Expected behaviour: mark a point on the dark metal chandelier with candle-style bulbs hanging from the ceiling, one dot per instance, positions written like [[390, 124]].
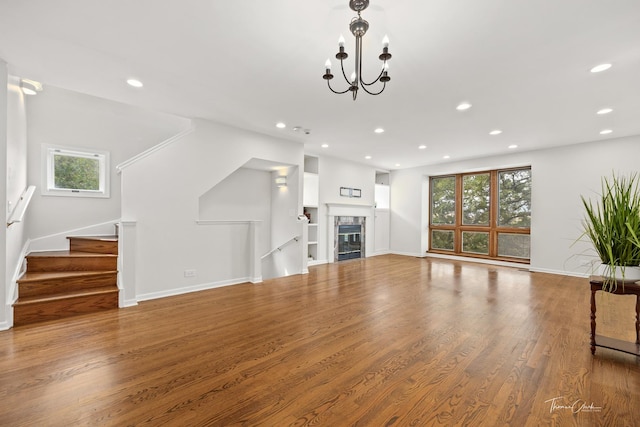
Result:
[[359, 27]]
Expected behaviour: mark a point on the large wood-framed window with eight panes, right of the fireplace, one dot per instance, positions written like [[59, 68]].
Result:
[[482, 214]]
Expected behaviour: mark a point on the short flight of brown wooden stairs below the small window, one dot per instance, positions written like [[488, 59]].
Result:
[[60, 284]]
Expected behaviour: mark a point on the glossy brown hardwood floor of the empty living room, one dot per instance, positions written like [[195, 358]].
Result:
[[385, 341]]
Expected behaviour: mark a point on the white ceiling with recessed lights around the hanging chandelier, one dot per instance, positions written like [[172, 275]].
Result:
[[523, 65]]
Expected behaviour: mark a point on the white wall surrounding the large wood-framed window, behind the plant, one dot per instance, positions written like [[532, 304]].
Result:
[[559, 177]]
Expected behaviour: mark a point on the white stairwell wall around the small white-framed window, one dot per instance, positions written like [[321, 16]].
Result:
[[61, 117]]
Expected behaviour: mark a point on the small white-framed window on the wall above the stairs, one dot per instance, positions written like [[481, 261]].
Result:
[[75, 172]]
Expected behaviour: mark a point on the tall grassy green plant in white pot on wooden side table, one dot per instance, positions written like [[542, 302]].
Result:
[[612, 224]]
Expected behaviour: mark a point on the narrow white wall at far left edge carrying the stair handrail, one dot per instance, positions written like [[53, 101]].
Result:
[[13, 137]]
